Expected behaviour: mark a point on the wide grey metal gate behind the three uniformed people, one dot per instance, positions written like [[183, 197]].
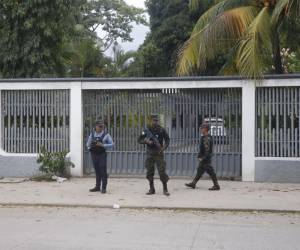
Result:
[[127, 112]]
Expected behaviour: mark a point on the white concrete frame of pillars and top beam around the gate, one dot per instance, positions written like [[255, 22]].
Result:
[[76, 87]]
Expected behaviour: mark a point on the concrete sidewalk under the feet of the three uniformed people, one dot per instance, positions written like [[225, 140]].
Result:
[[130, 193]]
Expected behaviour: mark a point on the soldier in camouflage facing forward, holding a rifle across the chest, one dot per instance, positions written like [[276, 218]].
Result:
[[157, 140]]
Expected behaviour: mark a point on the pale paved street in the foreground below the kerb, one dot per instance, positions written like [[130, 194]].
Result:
[[94, 228]]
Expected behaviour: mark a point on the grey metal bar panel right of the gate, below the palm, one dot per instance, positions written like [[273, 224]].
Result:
[[277, 121]]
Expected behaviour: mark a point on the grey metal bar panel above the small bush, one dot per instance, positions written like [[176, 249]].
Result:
[[35, 118]]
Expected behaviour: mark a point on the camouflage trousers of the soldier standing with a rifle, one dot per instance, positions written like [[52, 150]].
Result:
[[159, 161]]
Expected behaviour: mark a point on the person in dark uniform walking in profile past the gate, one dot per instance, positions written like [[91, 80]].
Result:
[[204, 156]]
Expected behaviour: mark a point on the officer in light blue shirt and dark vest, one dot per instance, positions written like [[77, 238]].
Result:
[[98, 142]]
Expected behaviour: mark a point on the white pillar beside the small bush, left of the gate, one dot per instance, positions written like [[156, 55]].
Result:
[[76, 136]]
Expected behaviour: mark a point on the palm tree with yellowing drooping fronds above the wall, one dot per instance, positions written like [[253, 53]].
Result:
[[246, 31]]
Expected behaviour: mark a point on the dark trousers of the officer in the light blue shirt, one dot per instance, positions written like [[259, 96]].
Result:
[[100, 166]]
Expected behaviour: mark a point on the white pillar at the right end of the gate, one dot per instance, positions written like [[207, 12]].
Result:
[[248, 131]]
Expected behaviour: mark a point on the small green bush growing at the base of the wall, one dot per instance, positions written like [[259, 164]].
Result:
[[54, 163]]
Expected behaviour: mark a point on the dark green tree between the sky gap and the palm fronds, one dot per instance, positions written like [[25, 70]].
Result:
[[170, 23]]
